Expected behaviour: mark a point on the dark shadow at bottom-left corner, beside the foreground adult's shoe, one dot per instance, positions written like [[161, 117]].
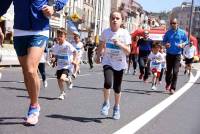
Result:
[[11, 120]]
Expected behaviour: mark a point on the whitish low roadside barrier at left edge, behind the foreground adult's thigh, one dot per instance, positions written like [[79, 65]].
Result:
[[9, 56]]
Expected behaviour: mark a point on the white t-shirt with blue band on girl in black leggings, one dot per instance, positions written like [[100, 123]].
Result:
[[113, 55]]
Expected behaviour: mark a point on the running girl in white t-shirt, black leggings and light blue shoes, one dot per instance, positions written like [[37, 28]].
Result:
[[113, 47]]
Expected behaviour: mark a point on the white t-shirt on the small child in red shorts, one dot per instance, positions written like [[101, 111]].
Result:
[[156, 61]]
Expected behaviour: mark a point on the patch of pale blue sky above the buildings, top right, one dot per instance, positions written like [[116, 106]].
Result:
[[162, 5]]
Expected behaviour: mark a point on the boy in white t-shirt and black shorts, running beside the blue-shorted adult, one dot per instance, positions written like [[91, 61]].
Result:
[[66, 56]]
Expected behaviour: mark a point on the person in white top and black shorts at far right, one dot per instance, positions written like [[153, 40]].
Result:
[[189, 52]]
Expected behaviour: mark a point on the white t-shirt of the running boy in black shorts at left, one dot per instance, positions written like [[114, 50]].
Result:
[[64, 55]]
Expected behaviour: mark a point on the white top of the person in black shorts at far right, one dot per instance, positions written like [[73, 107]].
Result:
[[189, 52]]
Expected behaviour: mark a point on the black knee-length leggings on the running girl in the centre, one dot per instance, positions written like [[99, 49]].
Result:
[[111, 75]]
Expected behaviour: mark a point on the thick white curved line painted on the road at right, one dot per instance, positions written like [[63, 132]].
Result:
[[143, 119]]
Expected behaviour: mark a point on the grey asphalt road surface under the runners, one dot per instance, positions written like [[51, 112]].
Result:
[[79, 113]]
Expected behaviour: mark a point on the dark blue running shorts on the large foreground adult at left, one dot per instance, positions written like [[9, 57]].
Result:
[[22, 43]]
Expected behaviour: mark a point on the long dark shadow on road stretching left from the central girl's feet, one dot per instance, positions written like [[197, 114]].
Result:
[[79, 119]]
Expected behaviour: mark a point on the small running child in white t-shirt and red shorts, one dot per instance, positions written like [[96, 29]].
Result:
[[156, 60]]
